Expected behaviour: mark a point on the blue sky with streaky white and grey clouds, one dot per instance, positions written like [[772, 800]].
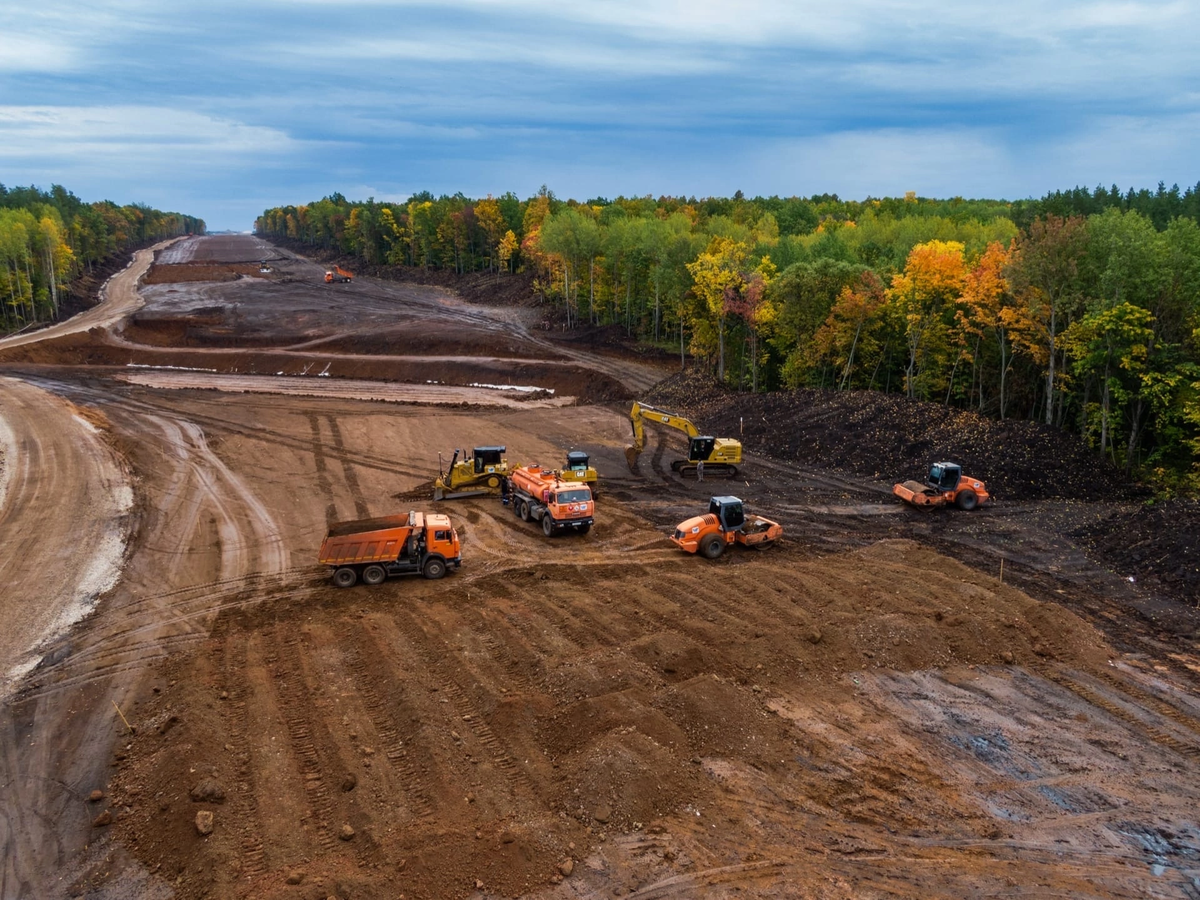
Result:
[[223, 110]]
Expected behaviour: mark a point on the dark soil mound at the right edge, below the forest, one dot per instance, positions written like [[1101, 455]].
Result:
[[1160, 545]]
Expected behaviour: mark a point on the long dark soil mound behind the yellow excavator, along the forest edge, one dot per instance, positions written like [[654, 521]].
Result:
[[896, 439]]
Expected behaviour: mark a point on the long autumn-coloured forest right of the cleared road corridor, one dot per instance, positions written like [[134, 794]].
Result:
[[1081, 310]]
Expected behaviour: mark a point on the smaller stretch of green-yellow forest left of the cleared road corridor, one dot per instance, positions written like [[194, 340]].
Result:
[[50, 238]]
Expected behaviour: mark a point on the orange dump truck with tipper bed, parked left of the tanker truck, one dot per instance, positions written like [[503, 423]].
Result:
[[374, 549]]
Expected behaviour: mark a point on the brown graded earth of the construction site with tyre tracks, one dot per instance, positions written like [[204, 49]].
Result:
[[889, 704]]
